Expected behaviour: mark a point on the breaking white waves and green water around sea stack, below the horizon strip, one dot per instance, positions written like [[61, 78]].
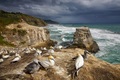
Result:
[[108, 41]]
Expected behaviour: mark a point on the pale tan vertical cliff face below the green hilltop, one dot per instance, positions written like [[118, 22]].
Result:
[[25, 34]]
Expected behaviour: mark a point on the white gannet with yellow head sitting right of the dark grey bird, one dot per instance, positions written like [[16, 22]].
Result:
[[47, 63]]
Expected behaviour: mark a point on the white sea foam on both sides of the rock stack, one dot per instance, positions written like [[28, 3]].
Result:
[[105, 39]]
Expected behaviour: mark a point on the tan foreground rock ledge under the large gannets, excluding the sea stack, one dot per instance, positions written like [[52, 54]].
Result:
[[93, 69]]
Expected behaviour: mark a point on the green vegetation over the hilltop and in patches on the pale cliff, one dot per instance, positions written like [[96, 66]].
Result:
[[7, 18]]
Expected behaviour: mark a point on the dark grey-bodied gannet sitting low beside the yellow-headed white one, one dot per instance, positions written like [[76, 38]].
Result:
[[32, 67]]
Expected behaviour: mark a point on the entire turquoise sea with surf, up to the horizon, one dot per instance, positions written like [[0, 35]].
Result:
[[106, 35]]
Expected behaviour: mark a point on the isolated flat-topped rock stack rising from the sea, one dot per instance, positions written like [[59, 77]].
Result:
[[83, 39]]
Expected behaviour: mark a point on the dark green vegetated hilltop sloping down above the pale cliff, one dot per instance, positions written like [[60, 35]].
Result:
[[11, 17]]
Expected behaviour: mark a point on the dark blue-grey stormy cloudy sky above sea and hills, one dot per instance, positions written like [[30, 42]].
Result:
[[67, 11]]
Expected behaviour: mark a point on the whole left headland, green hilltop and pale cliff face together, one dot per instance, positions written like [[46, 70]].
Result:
[[21, 29]]
